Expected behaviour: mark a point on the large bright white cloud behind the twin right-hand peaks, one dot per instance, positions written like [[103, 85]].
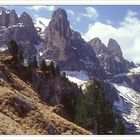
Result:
[[127, 35]]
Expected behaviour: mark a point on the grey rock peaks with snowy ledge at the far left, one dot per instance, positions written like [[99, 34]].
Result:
[[21, 29]]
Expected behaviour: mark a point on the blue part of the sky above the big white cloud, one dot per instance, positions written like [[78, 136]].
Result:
[[115, 14]]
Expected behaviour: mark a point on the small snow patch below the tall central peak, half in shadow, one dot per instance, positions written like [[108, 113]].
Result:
[[78, 77]]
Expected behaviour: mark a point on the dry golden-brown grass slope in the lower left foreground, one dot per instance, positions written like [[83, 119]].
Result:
[[41, 120]]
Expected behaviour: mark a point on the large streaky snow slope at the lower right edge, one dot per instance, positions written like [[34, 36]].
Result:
[[128, 104]]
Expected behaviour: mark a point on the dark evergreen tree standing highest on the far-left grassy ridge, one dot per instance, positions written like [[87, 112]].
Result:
[[13, 49]]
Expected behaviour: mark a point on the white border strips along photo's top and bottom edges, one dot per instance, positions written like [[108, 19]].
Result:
[[69, 2]]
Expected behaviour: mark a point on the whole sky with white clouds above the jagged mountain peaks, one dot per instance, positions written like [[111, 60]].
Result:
[[119, 22]]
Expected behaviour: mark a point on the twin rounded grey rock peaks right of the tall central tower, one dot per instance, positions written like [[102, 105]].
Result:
[[110, 57]]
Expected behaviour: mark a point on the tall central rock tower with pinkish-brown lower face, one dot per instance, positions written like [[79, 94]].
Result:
[[57, 36]]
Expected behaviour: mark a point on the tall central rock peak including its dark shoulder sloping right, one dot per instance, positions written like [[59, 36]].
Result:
[[67, 47]]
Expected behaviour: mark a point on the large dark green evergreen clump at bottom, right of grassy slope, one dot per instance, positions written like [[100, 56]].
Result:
[[92, 108]]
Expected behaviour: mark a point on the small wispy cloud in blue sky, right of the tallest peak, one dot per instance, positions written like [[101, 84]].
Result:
[[90, 13]]
